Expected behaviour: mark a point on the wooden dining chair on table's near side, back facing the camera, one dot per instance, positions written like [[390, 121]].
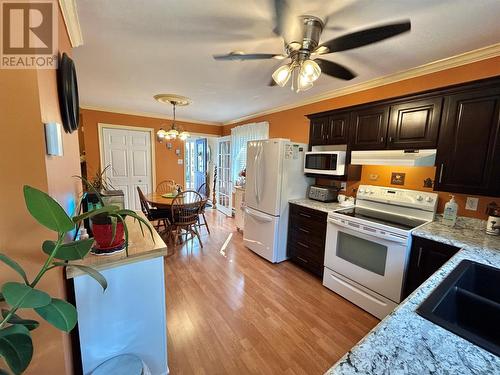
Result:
[[186, 207]]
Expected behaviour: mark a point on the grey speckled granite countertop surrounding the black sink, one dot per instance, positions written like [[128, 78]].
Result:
[[406, 343]]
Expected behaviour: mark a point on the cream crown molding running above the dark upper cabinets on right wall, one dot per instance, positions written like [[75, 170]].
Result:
[[435, 66]]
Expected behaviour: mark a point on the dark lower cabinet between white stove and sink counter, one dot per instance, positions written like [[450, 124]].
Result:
[[426, 257]]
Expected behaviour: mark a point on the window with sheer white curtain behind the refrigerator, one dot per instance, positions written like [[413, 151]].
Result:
[[240, 135]]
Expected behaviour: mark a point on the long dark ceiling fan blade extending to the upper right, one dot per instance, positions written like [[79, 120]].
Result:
[[365, 37]]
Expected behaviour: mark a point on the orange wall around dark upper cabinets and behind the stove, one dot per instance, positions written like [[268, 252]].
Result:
[[293, 124]]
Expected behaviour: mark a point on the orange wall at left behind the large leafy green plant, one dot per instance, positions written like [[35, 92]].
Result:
[[27, 98]]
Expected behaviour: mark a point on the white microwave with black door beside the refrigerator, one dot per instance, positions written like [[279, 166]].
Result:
[[330, 163]]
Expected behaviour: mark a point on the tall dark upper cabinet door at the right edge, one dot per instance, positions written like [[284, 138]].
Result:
[[468, 159]]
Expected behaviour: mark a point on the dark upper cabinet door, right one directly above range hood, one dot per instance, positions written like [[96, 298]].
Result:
[[414, 125]]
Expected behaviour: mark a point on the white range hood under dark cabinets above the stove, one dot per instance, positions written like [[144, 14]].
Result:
[[411, 158]]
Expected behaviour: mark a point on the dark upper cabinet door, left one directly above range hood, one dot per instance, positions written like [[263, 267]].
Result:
[[369, 128]]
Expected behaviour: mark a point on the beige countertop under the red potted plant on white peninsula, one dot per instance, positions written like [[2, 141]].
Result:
[[140, 248]]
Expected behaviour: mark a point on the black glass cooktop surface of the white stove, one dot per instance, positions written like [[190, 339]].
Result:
[[393, 220]]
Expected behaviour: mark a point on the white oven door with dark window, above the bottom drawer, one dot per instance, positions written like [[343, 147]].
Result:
[[366, 255]]
